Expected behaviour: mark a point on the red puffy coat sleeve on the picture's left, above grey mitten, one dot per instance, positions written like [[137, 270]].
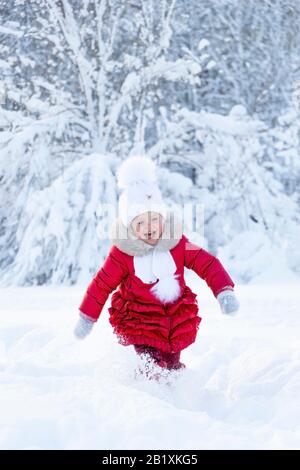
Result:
[[110, 275]]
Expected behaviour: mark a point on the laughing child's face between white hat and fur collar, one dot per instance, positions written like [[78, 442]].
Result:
[[148, 227]]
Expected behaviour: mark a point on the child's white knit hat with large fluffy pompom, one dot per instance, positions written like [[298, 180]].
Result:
[[136, 177]]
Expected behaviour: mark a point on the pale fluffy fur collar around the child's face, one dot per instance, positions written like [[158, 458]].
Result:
[[124, 238]]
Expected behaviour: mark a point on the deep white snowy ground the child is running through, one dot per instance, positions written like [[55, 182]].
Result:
[[241, 388]]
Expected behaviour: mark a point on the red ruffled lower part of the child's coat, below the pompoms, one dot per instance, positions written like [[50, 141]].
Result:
[[170, 327]]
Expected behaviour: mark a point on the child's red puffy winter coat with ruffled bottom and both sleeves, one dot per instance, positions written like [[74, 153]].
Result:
[[140, 318]]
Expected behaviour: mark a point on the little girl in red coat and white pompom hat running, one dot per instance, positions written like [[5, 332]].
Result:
[[153, 309]]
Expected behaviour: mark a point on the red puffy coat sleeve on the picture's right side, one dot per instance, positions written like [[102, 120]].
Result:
[[207, 266]]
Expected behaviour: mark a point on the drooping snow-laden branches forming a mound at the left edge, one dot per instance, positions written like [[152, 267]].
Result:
[[60, 221]]
